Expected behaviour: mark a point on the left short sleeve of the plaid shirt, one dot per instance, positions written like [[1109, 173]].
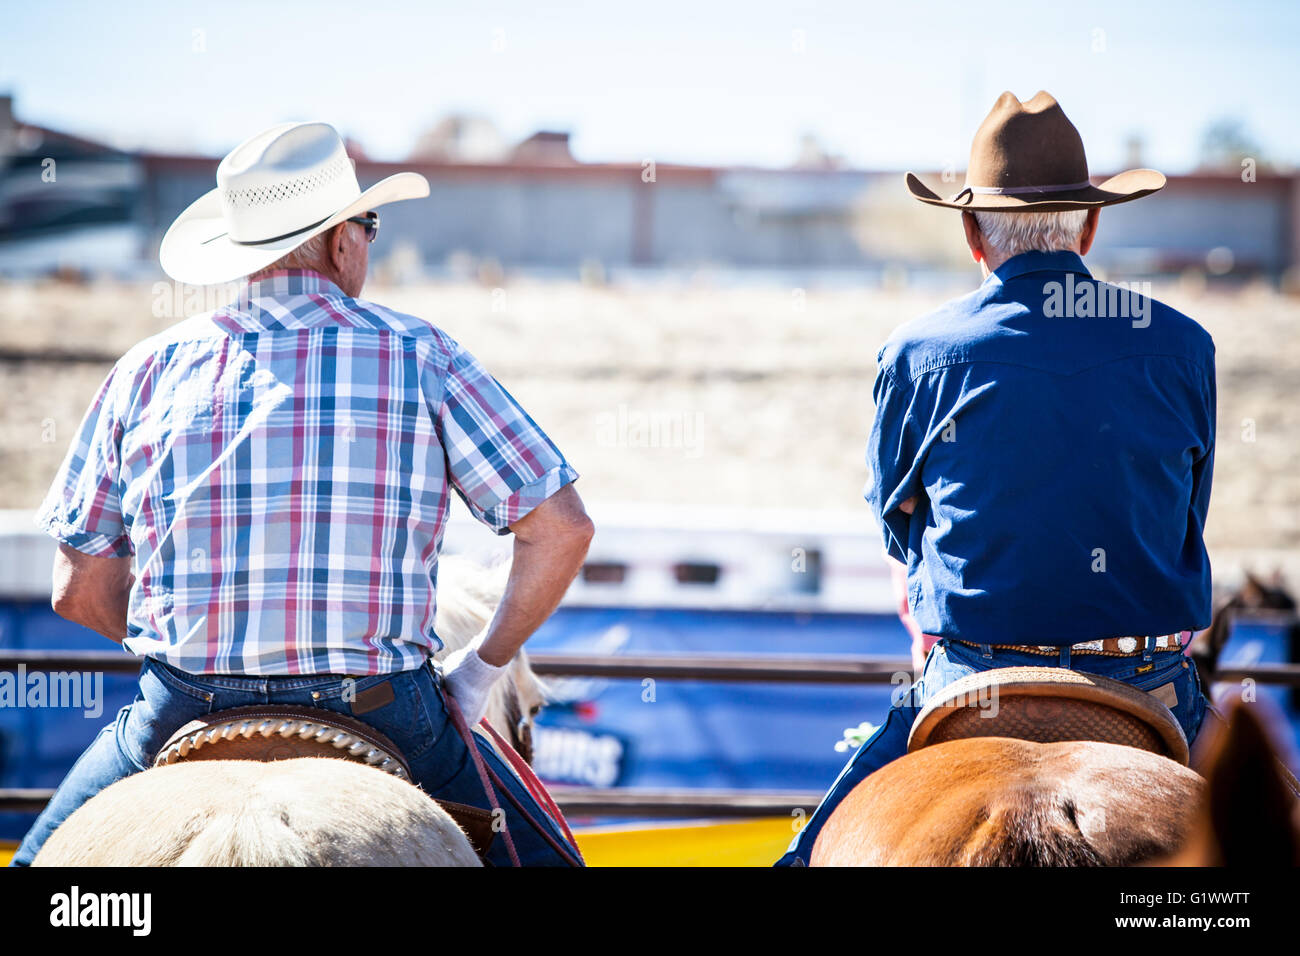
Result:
[[84, 509]]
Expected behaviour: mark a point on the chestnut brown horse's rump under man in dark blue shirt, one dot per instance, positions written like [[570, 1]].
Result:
[[996, 802]]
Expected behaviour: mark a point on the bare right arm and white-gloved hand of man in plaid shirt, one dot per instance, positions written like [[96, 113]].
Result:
[[551, 546]]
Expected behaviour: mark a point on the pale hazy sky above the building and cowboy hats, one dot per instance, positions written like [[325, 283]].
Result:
[[889, 85]]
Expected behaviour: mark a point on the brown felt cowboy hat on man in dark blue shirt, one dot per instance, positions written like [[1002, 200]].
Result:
[[1029, 158]]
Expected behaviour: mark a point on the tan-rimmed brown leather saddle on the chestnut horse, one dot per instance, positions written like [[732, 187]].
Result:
[[1048, 706]]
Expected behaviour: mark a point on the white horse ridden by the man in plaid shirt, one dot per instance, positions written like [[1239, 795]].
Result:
[[304, 812]]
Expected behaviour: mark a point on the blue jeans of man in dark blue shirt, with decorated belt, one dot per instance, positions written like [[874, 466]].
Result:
[[950, 661]]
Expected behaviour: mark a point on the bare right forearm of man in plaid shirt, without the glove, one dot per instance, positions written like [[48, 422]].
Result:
[[539, 577]]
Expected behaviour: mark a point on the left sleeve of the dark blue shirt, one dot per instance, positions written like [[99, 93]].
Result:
[[894, 453]]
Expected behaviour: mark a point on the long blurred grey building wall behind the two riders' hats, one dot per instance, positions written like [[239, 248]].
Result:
[[560, 218]]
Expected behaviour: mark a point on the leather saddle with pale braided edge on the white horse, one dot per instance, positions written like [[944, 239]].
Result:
[[281, 733]]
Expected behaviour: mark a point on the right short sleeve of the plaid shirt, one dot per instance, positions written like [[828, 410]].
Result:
[[499, 460]]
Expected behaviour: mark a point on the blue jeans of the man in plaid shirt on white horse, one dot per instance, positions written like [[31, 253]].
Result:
[[415, 720]]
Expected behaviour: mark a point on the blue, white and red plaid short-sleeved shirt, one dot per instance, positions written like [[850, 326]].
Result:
[[280, 469]]
